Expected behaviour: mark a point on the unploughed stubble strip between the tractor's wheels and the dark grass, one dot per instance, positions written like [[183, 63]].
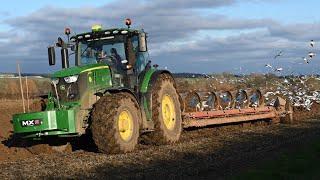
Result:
[[208, 152]]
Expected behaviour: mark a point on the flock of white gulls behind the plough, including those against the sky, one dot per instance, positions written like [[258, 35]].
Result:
[[295, 89]]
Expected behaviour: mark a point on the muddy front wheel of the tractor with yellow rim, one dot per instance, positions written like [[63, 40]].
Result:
[[115, 123]]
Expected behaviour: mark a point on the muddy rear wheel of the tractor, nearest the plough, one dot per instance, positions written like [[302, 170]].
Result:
[[166, 113]]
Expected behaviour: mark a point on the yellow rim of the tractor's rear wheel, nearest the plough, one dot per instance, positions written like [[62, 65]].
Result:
[[168, 112]]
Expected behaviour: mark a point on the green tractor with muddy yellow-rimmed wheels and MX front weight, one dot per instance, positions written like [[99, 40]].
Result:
[[111, 91]]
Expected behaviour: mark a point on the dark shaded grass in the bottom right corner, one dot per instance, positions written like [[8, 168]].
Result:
[[300, 163]]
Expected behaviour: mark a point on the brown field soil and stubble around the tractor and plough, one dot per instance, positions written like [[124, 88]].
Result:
[[216, 152]]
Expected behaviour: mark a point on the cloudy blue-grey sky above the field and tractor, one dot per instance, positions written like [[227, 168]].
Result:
[[198, 36]]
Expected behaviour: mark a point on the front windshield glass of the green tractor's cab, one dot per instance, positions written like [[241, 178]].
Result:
[[92, 51]]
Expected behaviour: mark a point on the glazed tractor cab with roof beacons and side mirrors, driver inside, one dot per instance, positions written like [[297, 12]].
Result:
[[123, 50]]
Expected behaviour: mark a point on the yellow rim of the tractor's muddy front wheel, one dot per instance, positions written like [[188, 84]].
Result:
[[125, 125]]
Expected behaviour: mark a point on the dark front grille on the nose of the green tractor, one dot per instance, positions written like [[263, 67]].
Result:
[[70, 92]]
